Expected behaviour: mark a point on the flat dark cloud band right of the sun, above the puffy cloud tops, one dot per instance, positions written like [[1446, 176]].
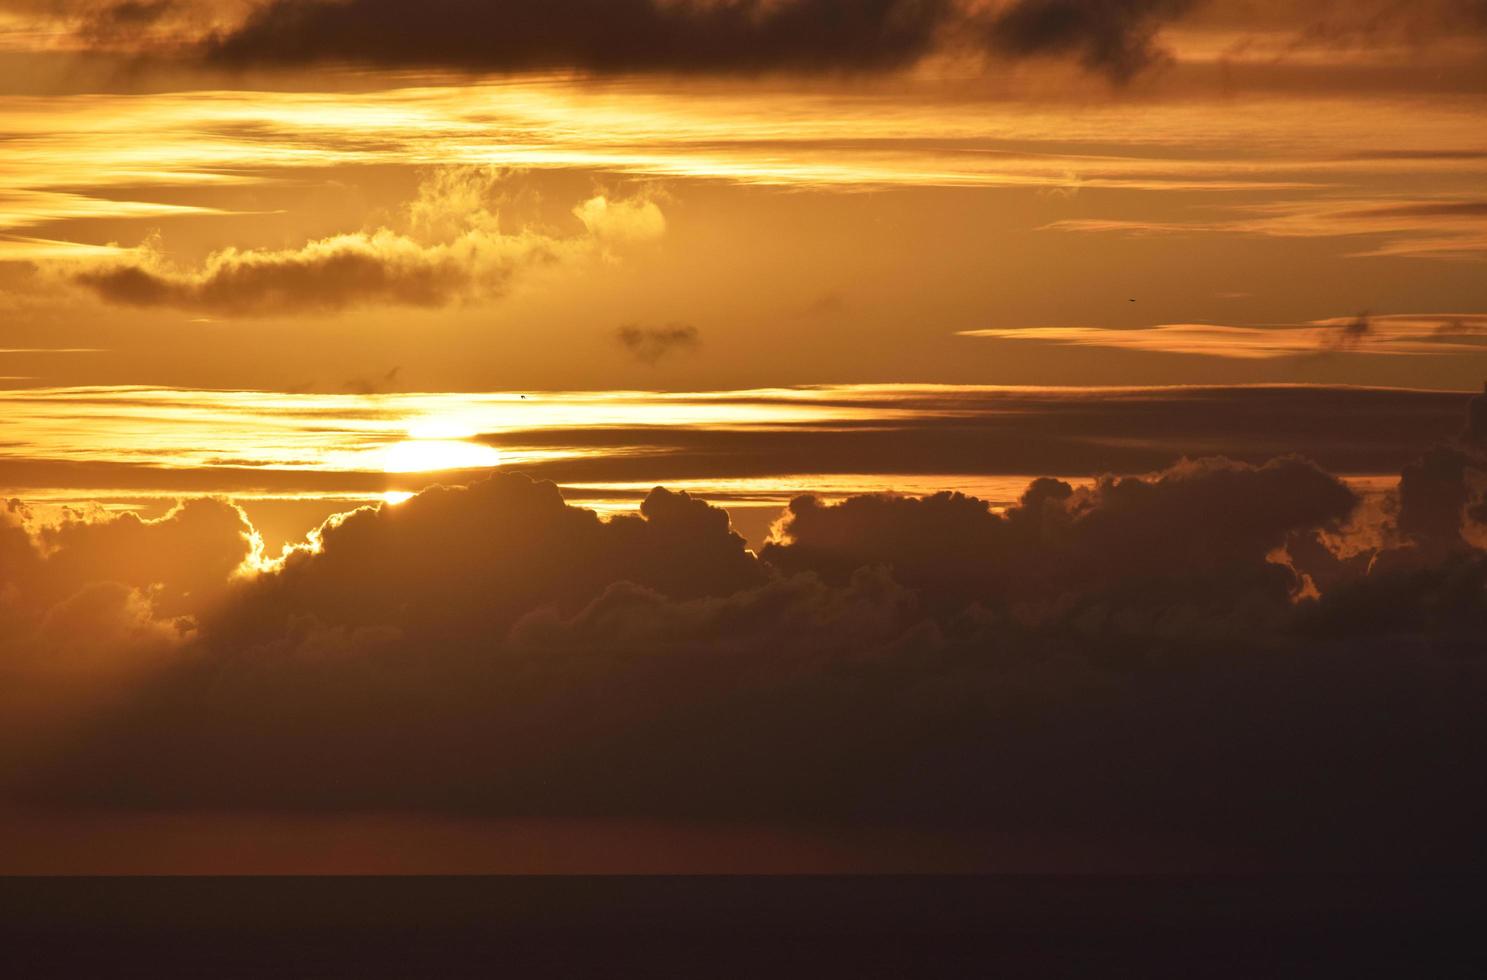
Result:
[[1027, 432]]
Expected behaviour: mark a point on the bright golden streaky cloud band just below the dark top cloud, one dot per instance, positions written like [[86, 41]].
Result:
[[99, 157]]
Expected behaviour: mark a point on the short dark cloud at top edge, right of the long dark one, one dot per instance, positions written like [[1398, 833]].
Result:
[[1116, 38]]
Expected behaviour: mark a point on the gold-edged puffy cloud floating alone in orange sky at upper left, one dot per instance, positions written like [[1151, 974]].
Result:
[[453, 251]]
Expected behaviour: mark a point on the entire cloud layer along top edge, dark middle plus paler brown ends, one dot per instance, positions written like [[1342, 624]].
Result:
[[1116, 38]]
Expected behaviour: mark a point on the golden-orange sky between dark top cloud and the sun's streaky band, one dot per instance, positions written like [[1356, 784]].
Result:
[[494, 231]]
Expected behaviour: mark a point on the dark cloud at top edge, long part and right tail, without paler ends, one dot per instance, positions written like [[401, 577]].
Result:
[[1115, 38]]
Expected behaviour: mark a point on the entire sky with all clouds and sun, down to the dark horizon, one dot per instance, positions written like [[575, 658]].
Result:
[[1021, 375]]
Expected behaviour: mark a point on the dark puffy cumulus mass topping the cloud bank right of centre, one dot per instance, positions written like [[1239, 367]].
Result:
[[1061, 542]]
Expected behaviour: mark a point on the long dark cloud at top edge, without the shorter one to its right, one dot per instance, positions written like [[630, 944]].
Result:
[[596, 35]]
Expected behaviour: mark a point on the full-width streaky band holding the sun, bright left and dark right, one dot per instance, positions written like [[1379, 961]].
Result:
[[753, 447]]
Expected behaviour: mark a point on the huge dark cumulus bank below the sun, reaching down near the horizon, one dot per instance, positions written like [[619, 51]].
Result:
[[1135, 657]]
